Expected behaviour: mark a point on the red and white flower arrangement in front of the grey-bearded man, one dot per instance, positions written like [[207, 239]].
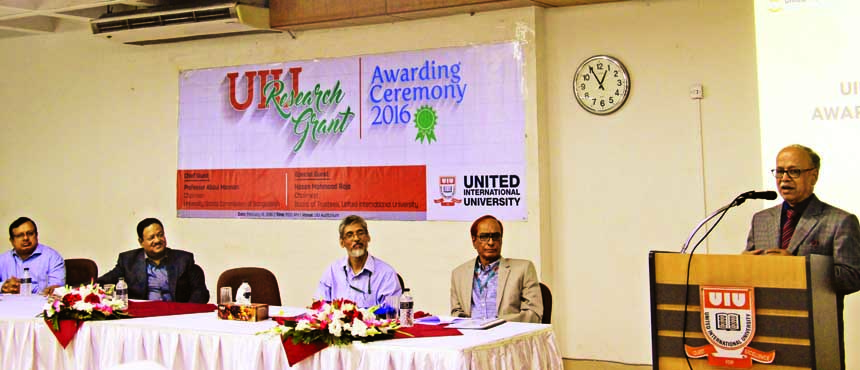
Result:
[[339, 323]]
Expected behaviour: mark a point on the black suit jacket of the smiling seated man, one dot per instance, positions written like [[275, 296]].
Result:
[[186, 279]]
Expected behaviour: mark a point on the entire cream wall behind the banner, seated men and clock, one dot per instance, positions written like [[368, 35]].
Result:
[[90, 136]]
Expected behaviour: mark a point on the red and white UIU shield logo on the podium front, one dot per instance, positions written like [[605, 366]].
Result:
[[728, 322]]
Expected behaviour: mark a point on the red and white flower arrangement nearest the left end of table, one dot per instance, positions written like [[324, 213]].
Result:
[[88, 302]]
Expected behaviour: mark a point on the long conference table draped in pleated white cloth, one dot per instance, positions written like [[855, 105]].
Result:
[[202, 341]]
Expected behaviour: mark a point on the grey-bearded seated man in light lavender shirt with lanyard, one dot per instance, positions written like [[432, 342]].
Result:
[[359, 277]]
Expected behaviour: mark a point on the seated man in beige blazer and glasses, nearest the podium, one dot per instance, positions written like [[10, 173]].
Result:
[[492, 286]]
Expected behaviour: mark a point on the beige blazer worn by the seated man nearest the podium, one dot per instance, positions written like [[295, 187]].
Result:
[[518, 297]]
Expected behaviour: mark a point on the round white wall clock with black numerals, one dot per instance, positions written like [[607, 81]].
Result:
[[601, 84]]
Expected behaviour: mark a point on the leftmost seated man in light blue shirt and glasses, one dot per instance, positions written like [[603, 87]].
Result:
[[47, 267]]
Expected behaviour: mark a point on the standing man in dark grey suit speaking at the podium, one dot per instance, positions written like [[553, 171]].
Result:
[[803, 225]]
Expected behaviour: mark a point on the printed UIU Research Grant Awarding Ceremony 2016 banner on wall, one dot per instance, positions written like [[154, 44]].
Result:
[[426, 135]]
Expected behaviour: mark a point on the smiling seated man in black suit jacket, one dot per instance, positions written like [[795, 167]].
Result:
[[157, 273]]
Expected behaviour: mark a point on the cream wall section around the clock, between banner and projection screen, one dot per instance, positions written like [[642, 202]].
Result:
[[642, 178]]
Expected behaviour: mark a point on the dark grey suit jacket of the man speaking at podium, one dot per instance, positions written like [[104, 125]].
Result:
[[822, 229]]
